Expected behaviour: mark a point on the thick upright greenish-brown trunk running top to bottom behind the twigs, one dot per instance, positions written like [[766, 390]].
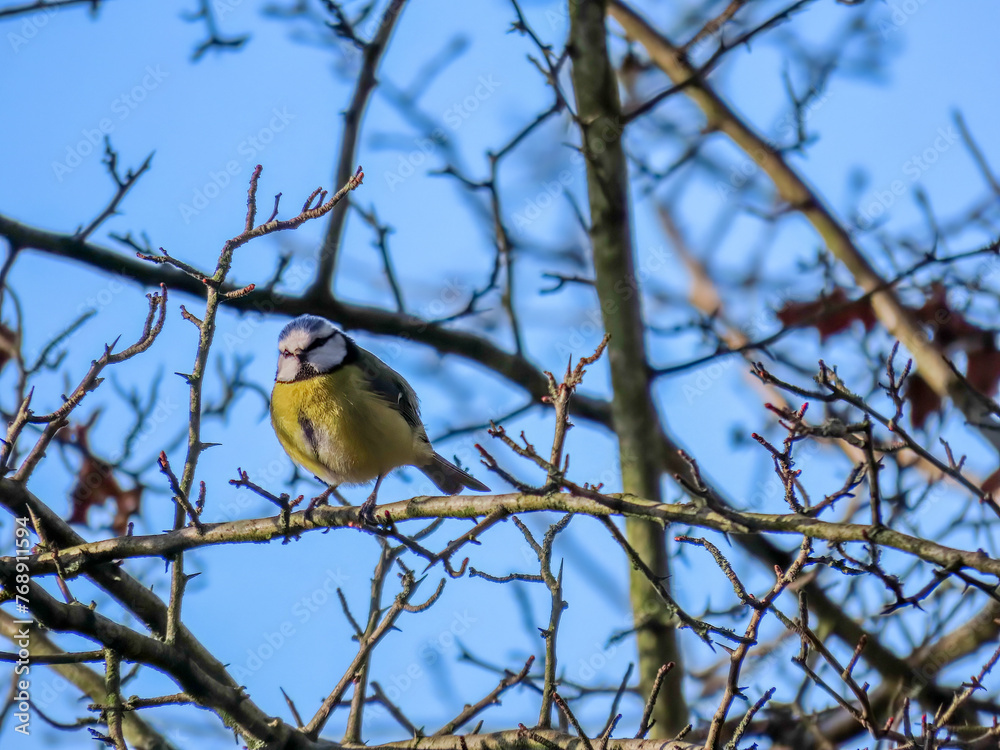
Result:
[[634, 414]]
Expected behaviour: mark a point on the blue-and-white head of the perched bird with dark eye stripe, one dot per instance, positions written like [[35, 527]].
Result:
[[310, 346]]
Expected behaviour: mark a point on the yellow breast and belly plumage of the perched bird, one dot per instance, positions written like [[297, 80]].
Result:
[[335, 427]]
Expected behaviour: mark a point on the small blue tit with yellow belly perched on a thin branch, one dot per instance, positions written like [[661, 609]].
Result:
[[347, 417]]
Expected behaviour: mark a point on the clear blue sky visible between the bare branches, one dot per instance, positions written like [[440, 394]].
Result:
[[66, 77]]
